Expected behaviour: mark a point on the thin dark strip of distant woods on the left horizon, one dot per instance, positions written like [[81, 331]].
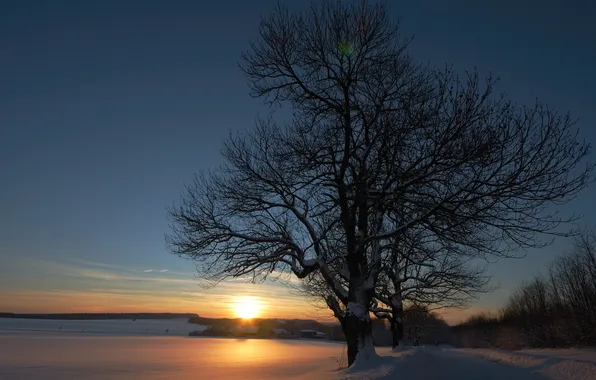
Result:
[[100, 316]]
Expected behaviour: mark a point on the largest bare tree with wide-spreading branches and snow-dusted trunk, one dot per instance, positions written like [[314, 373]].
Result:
[[372, 133]]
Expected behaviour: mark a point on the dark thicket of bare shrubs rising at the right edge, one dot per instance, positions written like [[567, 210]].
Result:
[[556, 309]]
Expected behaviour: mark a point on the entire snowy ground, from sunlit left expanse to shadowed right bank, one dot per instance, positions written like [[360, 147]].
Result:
[[112, 350]]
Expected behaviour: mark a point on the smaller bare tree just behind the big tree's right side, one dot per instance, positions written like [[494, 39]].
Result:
[[418, 273]]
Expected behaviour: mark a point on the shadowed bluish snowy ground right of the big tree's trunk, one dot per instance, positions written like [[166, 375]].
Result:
[[457, 364]]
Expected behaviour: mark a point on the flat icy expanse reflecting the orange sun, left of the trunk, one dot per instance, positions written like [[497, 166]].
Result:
[[118, 350]]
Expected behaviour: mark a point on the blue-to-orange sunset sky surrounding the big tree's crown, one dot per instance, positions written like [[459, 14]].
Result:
[[108, 107]]
